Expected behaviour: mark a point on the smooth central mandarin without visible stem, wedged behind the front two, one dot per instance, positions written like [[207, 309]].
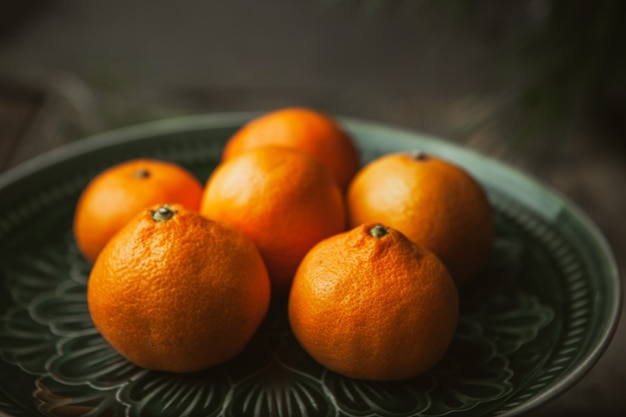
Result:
[[283, 199]]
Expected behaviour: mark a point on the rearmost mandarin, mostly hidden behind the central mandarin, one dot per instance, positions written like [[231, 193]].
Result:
[[308, 130]]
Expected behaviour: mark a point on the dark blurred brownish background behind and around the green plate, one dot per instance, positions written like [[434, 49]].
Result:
[[538, 84]]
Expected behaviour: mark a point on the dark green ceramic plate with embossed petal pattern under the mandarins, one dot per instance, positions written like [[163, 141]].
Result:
[[540, 316]]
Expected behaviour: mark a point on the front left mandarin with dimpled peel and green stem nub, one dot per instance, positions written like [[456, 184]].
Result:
[[177, 292]]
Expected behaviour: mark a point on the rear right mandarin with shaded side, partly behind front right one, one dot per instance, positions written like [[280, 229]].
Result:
[[435, 203]]
